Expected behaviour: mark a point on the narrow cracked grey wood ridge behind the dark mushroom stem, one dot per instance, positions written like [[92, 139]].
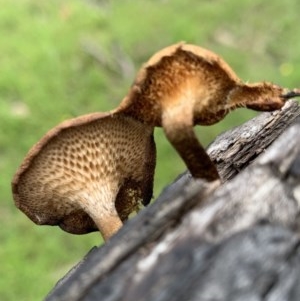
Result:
[[235, 149]]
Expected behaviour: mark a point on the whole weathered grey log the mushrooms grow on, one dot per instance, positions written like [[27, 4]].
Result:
[[199, 241]]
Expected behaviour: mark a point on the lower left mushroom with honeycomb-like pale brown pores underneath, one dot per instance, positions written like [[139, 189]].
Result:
[[87, 174]]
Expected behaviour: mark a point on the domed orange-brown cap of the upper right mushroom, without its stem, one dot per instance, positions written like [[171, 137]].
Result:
[[180, 74]]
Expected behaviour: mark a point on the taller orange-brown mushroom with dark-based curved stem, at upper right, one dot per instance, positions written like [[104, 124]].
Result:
[[185, 85]]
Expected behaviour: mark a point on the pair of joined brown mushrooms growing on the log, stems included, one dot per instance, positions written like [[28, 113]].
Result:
[[90, 173]]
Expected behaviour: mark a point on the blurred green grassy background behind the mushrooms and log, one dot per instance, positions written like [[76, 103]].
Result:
[[61, 59]]
